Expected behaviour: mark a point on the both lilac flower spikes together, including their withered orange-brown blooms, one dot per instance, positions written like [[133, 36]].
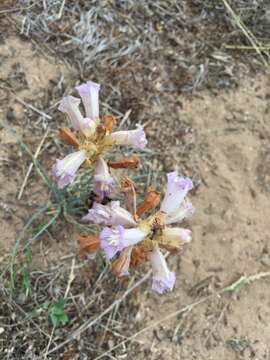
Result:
[[131, 234]]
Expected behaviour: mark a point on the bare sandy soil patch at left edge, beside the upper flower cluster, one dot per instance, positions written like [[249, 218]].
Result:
[[24, 74]]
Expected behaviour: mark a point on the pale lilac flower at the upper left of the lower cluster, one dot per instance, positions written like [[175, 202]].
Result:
[[111, 214]]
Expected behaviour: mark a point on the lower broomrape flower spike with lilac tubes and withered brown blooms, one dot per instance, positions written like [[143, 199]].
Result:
[[130, 239]]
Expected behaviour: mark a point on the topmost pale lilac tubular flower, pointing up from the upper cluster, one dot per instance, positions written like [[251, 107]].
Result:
[[89, 92]]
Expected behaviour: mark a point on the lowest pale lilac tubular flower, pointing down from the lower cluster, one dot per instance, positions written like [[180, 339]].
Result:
[[163, 279]]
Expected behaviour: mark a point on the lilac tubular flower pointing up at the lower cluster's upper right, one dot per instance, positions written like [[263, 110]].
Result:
[[177, 189]]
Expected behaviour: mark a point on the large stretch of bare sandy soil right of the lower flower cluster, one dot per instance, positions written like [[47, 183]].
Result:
[[231, 230]]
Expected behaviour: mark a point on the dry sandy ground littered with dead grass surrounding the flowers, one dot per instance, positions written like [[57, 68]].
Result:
[[206, 111]]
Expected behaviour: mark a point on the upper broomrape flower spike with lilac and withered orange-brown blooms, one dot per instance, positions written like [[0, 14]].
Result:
[[92, 140]]
